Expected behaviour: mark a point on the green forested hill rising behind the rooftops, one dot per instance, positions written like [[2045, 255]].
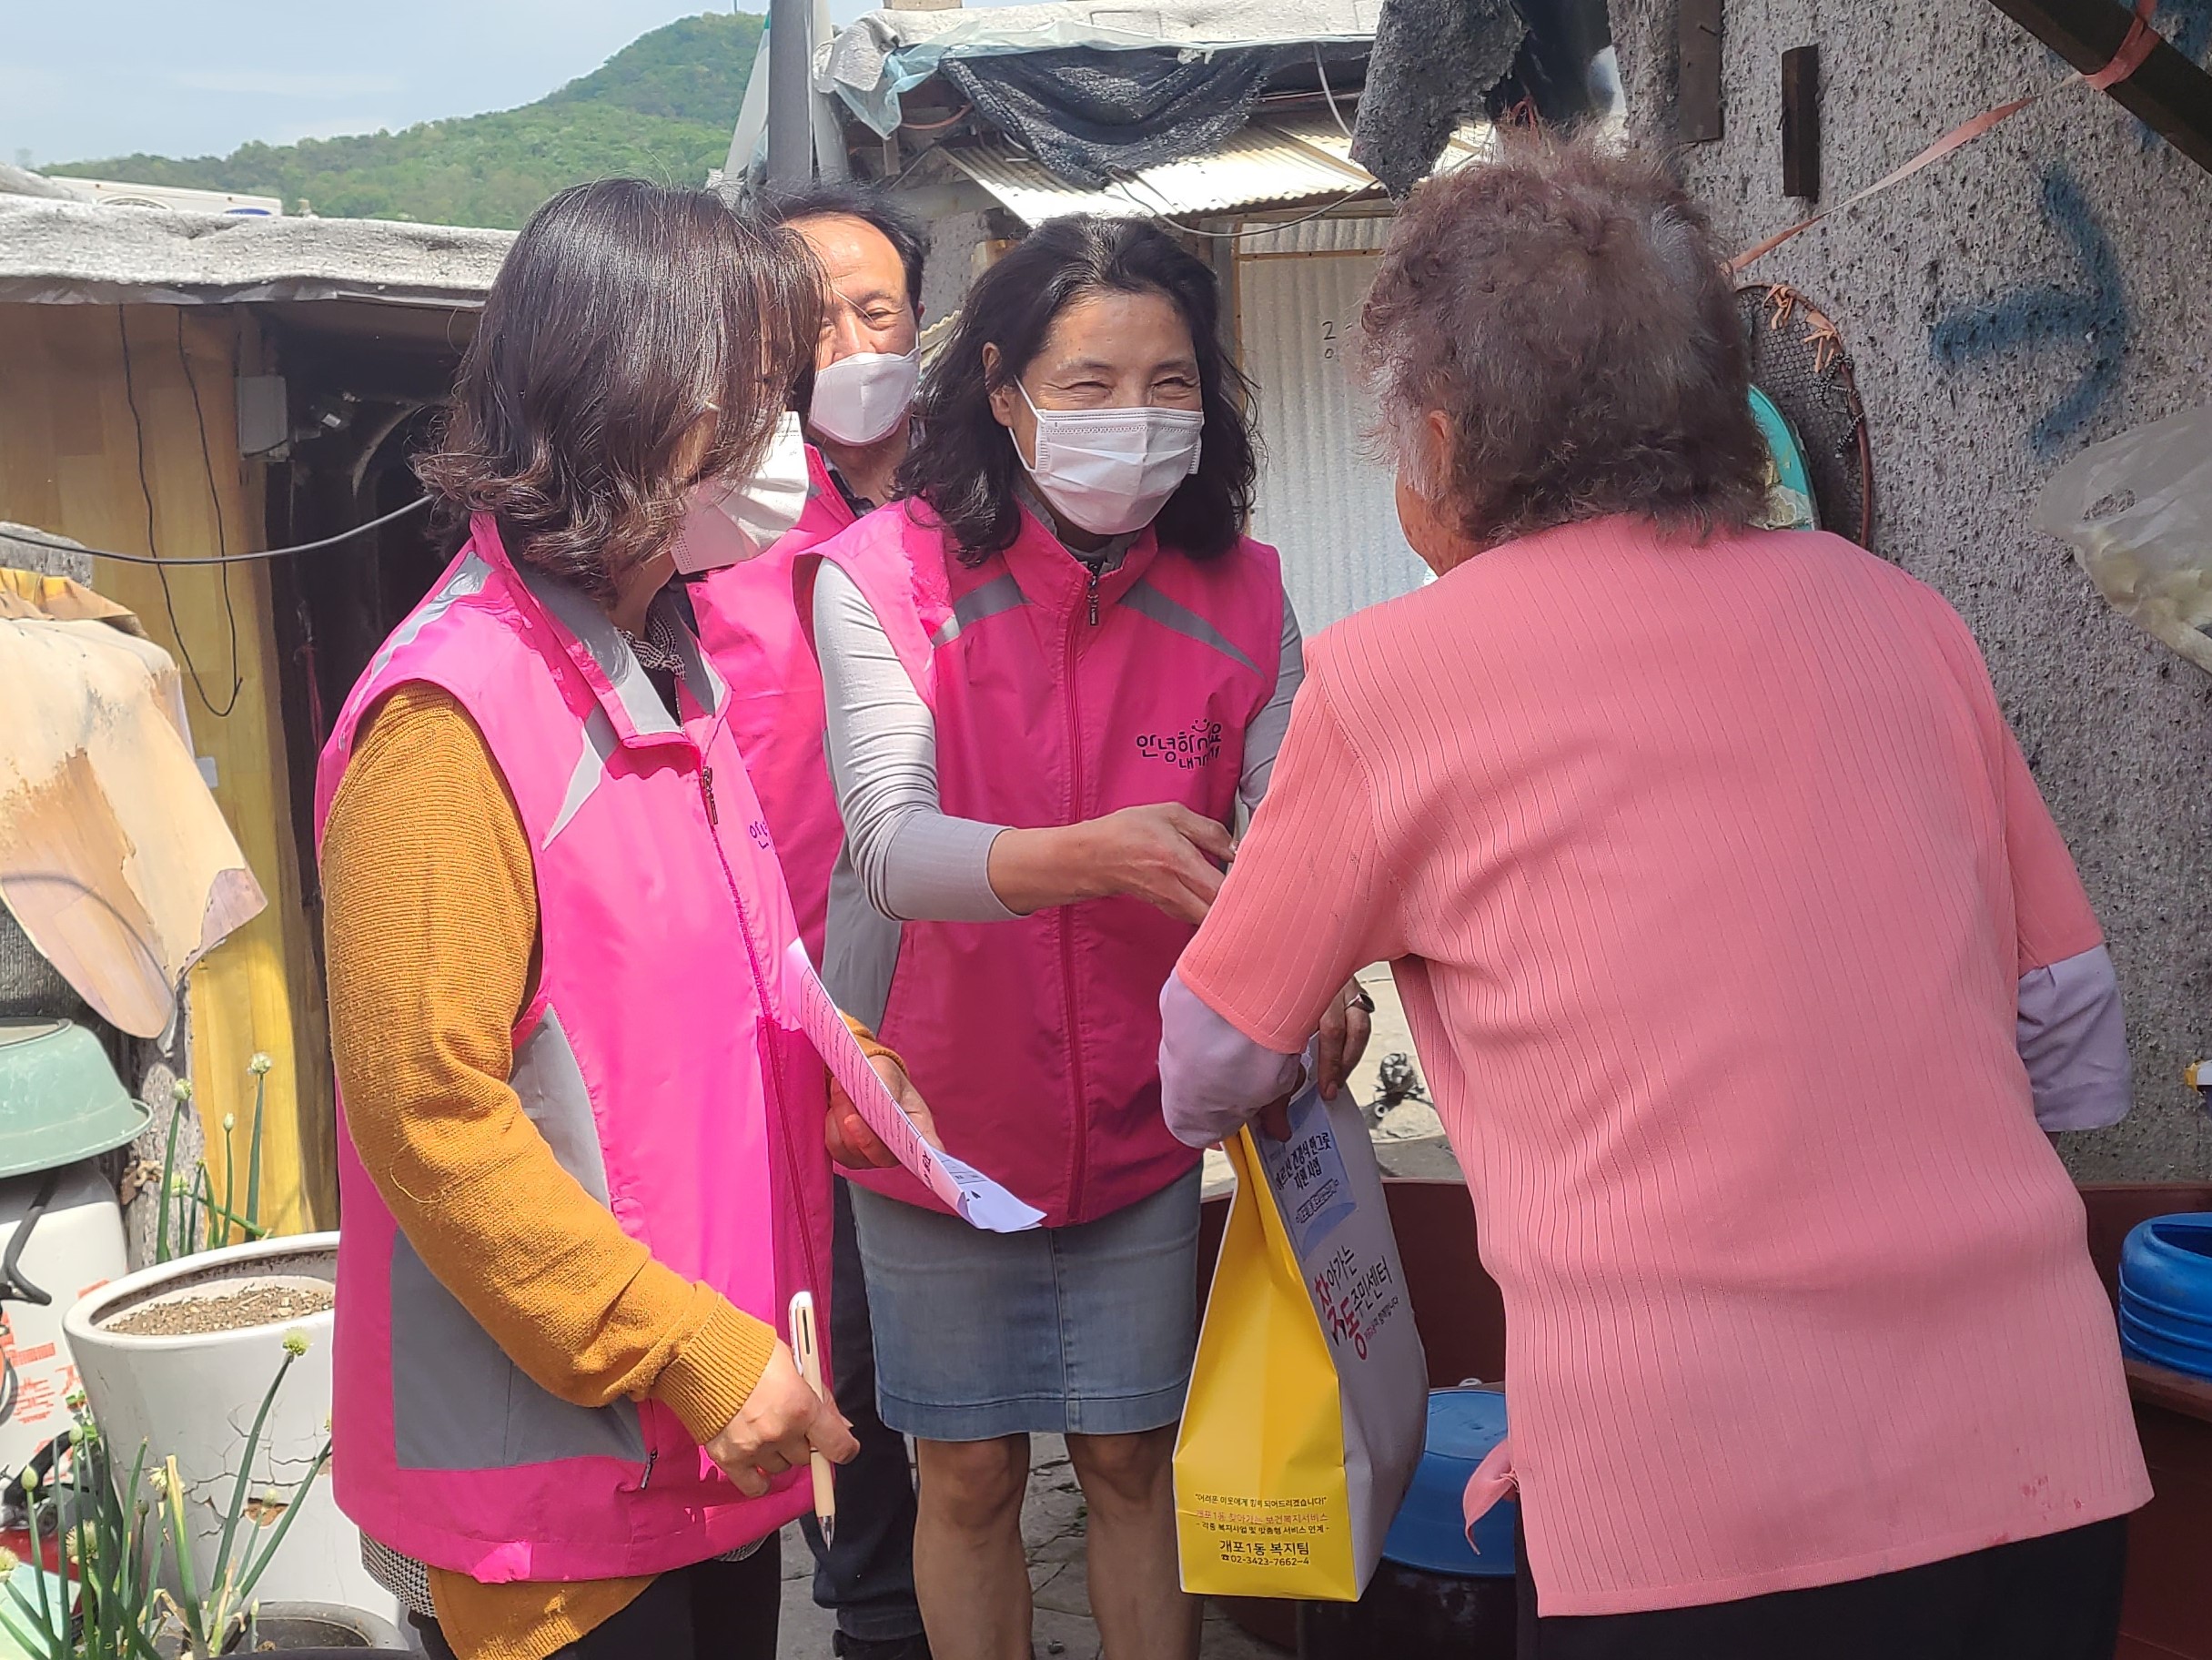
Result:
[[662, 110]]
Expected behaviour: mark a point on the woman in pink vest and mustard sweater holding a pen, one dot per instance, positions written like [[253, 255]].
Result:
[[583, 1170]]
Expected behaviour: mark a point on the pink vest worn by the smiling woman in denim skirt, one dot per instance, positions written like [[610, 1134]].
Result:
[[1056, 698]]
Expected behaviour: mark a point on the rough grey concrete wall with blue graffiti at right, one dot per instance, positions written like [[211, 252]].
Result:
[[2034, 293]]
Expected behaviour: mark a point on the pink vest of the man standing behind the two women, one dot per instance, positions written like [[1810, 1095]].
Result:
[[751, 625]]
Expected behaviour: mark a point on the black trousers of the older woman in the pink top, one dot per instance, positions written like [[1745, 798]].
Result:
[[2043, 1599]]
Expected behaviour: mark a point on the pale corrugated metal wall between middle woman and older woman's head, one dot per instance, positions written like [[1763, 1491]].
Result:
[[1324, 501]]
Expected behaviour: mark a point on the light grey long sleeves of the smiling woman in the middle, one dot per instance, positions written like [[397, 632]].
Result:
[[915, 860]]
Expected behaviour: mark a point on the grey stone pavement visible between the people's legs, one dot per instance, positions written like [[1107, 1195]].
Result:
[[1054, 1539]]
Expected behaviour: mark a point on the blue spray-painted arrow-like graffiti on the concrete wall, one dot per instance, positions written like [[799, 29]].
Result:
[[2085, 311]]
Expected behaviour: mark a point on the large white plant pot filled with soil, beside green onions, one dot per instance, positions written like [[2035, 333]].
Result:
[[194, 1400]]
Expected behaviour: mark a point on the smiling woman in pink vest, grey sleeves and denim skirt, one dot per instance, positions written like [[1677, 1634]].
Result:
[[1054, 676]]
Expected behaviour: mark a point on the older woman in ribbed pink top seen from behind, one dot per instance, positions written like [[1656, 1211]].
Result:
[[1746, 964]]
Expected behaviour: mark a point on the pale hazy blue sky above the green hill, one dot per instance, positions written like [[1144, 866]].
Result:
[[87, 79]]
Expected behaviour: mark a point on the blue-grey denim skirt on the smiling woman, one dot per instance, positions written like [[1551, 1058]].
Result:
[[1054, 1331]]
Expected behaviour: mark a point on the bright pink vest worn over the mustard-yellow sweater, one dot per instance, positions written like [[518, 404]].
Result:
[[656, 1059]]
